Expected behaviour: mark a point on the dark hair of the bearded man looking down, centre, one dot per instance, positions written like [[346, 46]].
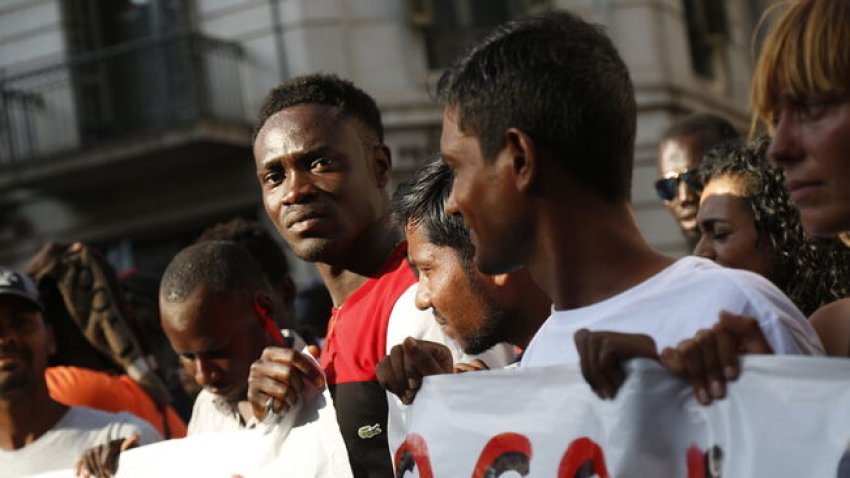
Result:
[[420, 202]]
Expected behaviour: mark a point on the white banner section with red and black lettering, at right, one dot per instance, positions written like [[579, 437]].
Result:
[[785, 417]]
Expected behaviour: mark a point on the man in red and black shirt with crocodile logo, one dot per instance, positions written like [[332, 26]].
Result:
[[324, 170]]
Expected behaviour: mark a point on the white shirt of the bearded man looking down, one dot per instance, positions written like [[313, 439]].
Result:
[[408, 321]]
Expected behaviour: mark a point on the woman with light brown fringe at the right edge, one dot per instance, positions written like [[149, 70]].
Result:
[[801, 92]]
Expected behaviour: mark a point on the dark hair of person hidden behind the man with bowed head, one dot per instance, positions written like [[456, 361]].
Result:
[[256, 239]]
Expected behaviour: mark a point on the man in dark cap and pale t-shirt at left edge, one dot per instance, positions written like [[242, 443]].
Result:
[[37, 433]]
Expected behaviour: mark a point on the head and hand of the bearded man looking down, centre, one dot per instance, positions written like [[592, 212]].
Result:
[[477, 310]]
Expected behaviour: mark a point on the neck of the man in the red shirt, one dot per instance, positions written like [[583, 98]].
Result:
[[362, 260]]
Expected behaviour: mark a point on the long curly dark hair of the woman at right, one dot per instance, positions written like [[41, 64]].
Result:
[[811, 271]]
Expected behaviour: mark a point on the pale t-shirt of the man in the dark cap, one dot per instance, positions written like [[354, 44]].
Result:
[[78, 430]]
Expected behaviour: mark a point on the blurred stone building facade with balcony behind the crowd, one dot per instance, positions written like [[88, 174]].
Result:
[[127, 123]]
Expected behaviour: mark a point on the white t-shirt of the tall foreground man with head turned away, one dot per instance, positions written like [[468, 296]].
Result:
[[672, 306]]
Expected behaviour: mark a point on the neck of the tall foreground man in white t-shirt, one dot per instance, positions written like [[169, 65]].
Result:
[[586, 254]]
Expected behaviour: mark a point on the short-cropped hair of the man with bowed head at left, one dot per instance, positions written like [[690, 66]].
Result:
[[222, 266]]
